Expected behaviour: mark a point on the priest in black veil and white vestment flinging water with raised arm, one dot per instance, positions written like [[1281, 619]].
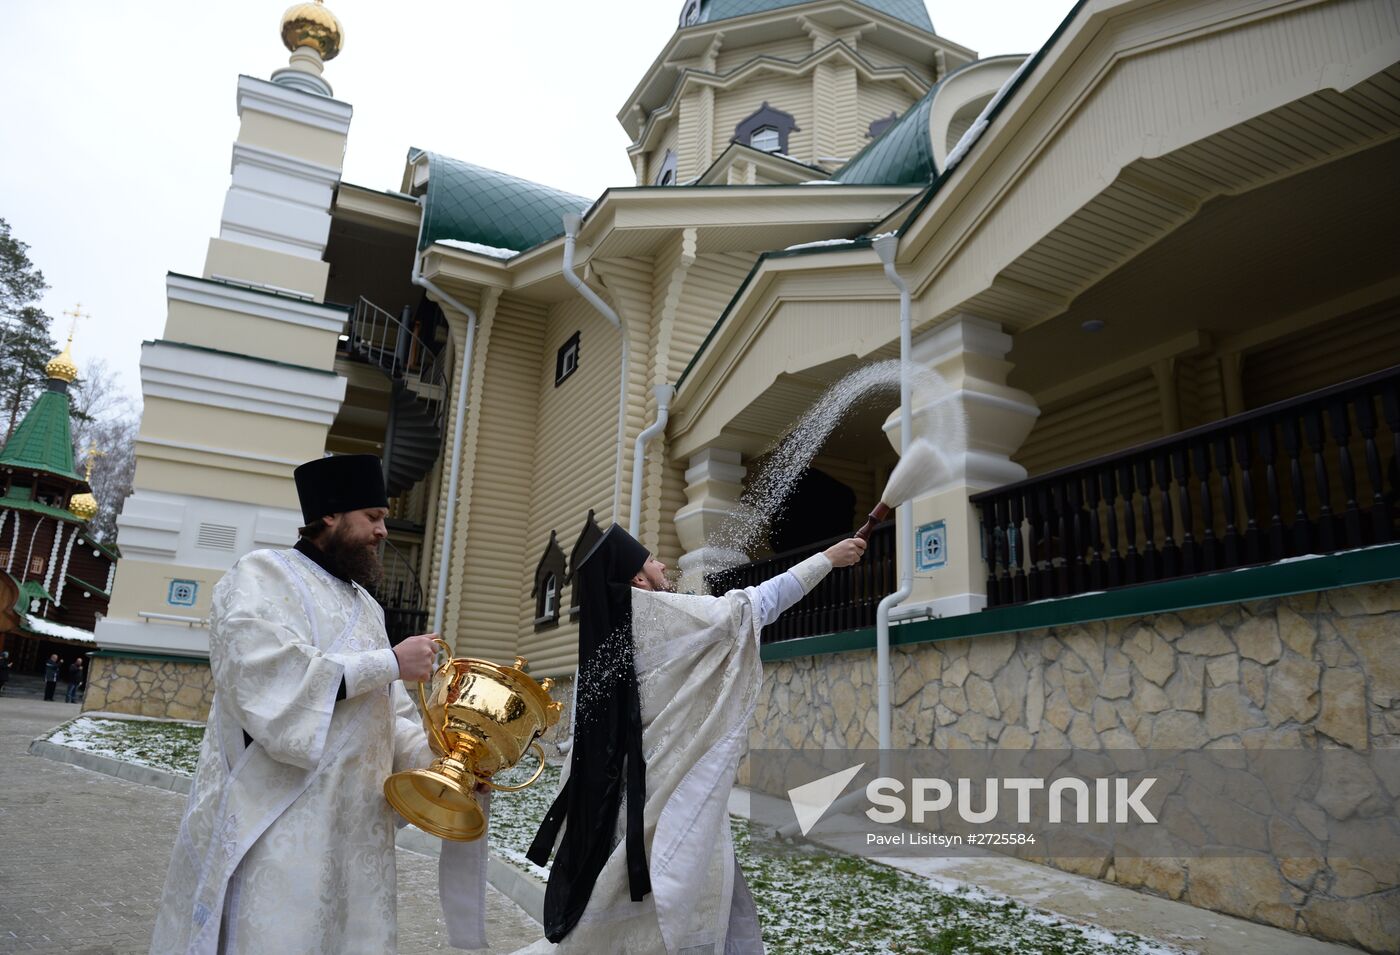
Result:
[[667, 685]]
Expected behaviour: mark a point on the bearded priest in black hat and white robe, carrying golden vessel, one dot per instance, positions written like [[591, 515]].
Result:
[[288, 841]]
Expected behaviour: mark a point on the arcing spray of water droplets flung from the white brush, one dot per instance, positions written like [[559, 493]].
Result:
[[762, 503]]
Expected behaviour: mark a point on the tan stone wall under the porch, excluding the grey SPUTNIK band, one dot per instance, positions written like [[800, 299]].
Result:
[[1298, 673]]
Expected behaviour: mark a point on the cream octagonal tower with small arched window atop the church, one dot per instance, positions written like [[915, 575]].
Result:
[[780, 92]]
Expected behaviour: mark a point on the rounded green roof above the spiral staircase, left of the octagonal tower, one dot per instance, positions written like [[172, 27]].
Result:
[[471, 204]]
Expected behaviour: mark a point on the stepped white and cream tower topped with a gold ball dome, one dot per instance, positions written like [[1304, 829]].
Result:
[[239, 390]]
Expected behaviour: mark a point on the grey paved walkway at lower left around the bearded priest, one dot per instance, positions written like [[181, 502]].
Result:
[[83, 858]]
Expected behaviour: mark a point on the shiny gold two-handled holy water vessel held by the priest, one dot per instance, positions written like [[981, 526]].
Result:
[[481, 719]]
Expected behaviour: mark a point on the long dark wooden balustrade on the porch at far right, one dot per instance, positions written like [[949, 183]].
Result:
[[1308, 475]]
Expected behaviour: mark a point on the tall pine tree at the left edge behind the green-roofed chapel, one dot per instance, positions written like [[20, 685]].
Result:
[[24, 331]]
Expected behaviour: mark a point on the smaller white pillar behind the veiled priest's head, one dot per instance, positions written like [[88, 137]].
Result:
[[715, 482]]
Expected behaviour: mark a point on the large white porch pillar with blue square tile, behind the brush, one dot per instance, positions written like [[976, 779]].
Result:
[[969, 355]]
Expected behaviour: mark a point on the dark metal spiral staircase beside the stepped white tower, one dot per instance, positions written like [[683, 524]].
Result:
[[419, 386]]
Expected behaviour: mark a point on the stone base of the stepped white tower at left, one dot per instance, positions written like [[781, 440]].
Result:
[[150, 687]]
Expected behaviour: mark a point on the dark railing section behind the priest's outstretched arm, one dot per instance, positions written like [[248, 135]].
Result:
[[845, 601]]
